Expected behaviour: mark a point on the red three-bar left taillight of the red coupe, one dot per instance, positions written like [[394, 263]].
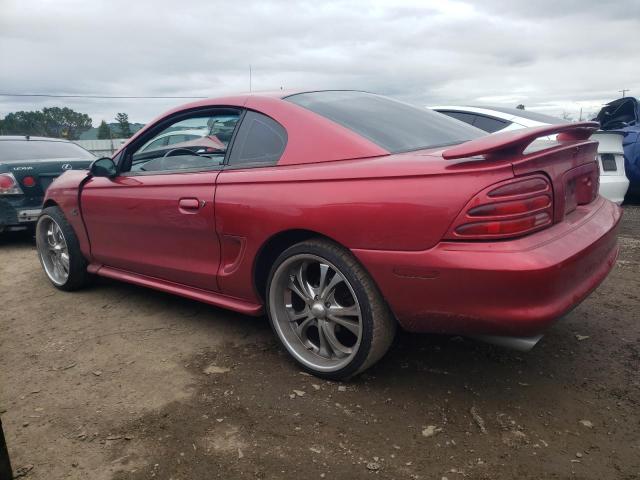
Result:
[[513, 208]]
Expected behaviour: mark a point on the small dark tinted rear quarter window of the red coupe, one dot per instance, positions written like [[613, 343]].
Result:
[[260, 141]]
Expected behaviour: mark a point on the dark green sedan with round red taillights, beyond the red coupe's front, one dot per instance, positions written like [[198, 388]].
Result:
[[27, 166]]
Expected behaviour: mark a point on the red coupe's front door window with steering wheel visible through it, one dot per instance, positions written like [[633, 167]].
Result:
[[192, 142]]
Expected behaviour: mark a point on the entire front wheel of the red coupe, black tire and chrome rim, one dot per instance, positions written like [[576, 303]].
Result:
[[59, 251]]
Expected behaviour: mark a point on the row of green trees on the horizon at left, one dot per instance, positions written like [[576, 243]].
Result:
[[60, 123]]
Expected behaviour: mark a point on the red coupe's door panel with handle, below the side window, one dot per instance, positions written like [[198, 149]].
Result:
[[161, 226]]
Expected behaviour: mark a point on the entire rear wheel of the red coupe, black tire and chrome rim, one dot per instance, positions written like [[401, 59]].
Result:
[[327, 311]]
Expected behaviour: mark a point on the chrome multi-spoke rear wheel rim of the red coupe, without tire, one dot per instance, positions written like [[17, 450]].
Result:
[[315, 312]]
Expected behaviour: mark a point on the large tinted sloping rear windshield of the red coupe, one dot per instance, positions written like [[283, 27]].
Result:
[[393, 125]]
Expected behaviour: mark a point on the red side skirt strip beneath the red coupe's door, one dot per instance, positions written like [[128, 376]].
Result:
[[212, 298]]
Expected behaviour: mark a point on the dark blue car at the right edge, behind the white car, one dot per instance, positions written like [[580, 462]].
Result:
[[623, 115]]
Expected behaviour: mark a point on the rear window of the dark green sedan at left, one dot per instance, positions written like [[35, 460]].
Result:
[[17, 150]]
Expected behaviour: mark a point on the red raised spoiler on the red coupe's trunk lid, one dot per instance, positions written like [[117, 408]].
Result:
[[514, 142]]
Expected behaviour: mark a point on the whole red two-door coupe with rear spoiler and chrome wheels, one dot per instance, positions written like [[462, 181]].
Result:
[[342, 214]]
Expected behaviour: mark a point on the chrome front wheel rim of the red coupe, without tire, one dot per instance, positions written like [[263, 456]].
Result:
[[53, 250]]
